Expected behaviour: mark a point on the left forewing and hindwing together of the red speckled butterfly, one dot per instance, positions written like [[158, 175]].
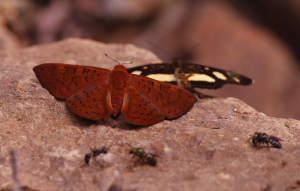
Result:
[[85, 88]]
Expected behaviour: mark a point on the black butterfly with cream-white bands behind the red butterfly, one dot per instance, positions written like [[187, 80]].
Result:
[[190, 75]]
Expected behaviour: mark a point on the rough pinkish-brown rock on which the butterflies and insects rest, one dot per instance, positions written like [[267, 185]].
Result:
[[206, 149]]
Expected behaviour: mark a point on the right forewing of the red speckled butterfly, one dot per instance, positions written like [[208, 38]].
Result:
[[171, 100]]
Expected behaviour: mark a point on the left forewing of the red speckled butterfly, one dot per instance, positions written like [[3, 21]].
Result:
[[63, 80]]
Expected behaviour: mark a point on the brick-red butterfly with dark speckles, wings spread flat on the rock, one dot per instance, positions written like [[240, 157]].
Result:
[[96, 93]]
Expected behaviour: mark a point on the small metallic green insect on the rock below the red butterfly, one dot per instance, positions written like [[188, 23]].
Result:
[[145, 155]]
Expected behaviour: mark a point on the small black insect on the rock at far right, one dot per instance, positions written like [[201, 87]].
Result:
[[261, 138]]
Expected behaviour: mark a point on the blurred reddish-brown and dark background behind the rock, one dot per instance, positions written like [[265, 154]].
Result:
[[257, 38]]
